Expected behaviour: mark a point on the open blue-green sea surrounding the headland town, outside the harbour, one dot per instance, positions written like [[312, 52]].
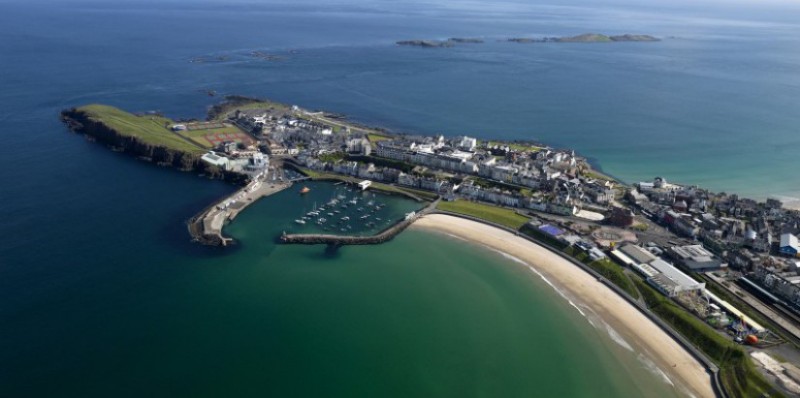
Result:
[[102, 293]]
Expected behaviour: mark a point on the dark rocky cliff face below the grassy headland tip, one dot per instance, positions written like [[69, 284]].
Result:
[[91, 123]]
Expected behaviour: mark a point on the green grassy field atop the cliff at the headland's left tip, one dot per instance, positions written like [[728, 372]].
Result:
[[150, 129]]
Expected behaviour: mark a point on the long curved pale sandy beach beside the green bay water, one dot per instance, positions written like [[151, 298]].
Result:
[[637, 329]]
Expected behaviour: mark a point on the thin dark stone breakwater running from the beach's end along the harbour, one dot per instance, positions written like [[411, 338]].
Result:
[[342, 240]]
